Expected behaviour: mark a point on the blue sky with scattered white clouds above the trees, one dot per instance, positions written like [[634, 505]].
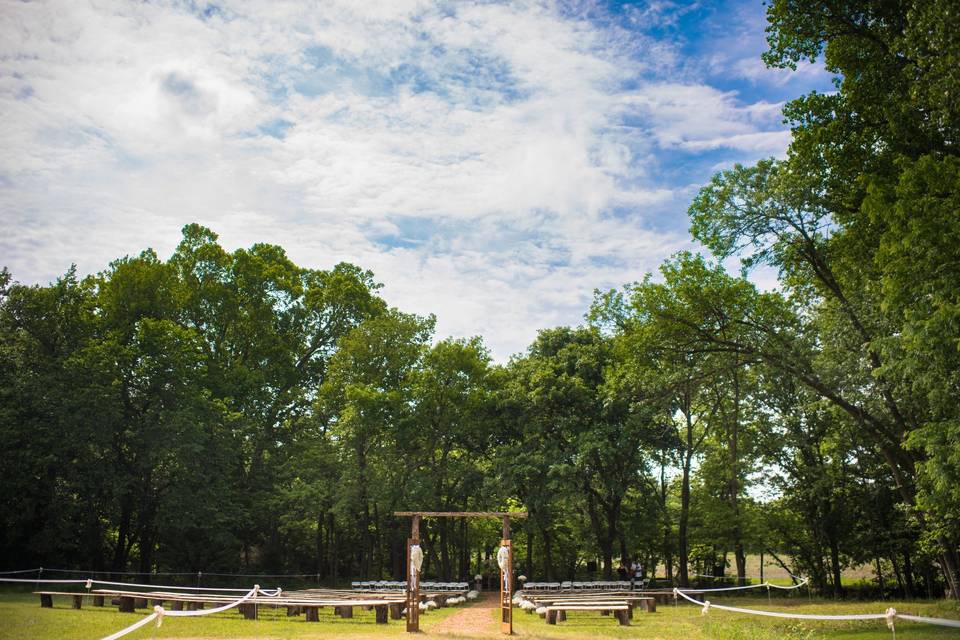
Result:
[[492, 163]]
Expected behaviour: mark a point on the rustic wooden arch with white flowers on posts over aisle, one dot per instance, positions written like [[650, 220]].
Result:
[[506, 576]]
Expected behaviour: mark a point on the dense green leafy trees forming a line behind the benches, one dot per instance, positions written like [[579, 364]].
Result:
[[235, 412]]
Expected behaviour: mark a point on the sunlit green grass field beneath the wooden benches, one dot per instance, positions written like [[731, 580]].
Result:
[[22, 617]]
